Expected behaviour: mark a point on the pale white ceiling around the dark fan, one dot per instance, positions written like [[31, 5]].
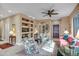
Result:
[[34, 9]]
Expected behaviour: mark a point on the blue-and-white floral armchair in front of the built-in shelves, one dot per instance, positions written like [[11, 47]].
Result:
[[31, 47]]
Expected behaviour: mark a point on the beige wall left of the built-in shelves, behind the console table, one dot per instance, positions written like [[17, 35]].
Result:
[[16, 19]]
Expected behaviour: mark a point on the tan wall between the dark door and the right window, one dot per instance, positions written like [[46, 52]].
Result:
[[65, 24]]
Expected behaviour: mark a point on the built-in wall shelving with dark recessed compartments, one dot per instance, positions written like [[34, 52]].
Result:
[[27, 27]]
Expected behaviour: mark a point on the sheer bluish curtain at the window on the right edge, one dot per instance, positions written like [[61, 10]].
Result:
[[75, 24]]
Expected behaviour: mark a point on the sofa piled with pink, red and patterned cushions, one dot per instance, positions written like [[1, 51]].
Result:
[[69, 46]]
